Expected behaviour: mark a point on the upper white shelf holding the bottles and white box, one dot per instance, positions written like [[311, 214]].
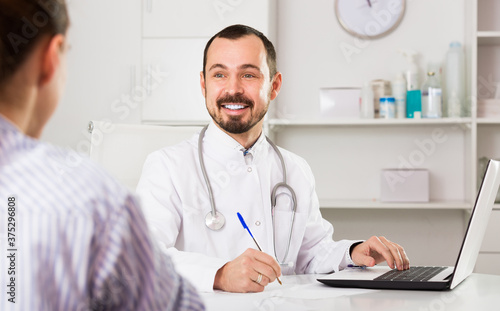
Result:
[[370, 122]]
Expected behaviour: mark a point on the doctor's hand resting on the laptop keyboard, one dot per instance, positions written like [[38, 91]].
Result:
[[378, 249]]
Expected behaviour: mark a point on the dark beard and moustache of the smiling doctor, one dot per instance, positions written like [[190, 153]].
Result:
[[234, 125]]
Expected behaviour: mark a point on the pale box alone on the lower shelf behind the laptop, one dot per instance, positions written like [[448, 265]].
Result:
[[404, 185]]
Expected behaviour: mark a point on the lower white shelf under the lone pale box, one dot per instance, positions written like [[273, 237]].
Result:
[[367, 204]]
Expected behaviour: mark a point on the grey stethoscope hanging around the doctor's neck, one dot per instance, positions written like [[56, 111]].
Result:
[[214, 220]]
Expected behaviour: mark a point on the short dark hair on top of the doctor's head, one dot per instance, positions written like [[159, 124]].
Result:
[[238, 31]]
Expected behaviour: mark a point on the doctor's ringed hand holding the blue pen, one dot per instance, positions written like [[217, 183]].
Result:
[[249, 272]]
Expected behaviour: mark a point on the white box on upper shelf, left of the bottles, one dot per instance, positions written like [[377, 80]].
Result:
[[339, 102]]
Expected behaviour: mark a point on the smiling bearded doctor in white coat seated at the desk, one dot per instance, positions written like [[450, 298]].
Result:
[[239, 80]]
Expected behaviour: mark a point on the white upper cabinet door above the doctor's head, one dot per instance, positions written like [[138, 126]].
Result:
[[202, 18]]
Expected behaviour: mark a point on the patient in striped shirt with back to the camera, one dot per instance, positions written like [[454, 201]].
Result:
[[77, 240]]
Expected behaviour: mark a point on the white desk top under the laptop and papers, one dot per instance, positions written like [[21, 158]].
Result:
[[303, 292]]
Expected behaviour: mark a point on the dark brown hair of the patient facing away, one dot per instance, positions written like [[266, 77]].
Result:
[[22, 24]]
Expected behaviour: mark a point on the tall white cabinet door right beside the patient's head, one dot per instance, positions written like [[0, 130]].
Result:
[[103, 61]]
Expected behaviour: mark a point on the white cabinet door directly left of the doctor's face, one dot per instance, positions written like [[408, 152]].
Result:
[[172, 68]]
